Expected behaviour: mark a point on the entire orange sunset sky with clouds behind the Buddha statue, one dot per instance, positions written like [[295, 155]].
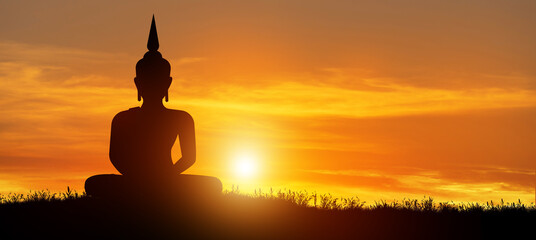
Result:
[[356, 98]]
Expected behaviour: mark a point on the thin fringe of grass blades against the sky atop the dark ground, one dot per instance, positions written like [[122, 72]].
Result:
[[306, 199]]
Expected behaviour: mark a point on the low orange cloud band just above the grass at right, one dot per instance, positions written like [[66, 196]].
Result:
[[421, 182]]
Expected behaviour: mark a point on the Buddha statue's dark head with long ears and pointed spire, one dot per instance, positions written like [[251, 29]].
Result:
[[152, 71]]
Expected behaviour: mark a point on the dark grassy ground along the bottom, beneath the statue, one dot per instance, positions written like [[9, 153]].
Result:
[[281, 214]]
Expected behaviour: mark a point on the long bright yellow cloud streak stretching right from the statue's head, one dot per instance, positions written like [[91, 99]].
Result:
[[300, 99]]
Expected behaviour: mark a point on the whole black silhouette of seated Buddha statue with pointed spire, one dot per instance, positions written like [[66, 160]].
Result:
[[142, 138]]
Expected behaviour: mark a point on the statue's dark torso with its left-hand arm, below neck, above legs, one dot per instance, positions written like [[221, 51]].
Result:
[[141, 140]]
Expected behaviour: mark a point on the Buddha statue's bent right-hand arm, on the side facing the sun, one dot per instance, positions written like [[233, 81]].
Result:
[[187, 143]]
